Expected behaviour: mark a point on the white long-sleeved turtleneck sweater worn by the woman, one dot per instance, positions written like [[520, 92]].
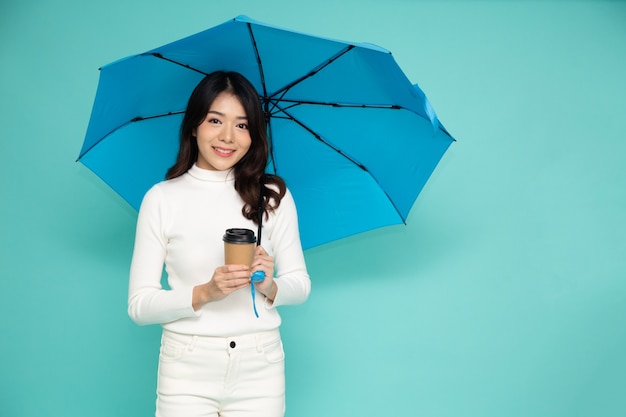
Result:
[[181, 223]]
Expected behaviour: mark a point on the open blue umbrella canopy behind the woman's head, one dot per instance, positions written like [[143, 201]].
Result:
[[352, 137]]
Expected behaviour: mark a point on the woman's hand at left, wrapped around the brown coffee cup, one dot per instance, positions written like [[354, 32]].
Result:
[[226, 279]]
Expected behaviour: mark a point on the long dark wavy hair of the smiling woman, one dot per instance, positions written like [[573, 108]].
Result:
[[250, 170]]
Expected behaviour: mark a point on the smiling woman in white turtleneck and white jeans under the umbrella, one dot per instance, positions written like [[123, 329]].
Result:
[[217, 357]]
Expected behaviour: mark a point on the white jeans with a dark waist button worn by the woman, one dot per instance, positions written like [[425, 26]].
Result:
[[215, 376]]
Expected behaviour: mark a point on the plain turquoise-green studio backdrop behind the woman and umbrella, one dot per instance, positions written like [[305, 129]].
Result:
[[504, 295]]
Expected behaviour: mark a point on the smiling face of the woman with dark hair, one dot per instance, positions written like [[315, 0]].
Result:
[[223, 136]]
